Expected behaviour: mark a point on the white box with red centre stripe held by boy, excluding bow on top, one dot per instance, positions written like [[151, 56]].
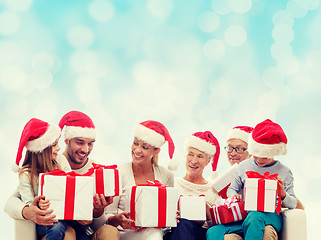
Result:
[[260, 194]]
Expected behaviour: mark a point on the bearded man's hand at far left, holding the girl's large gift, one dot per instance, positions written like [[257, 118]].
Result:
[[35, 214]]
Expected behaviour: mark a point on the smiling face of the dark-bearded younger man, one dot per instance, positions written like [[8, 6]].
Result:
[[78, 150]]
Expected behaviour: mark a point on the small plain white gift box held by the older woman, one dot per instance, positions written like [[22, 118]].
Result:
[[192, 207]]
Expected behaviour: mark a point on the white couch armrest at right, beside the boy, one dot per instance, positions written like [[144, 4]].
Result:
[[294, 225]]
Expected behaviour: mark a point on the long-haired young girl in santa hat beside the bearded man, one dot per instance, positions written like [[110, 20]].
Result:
[[41, 140]]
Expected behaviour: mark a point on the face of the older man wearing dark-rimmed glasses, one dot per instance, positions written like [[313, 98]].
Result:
[[235, 157]]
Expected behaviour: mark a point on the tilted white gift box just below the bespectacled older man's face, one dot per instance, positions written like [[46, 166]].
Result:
[[223, 181]]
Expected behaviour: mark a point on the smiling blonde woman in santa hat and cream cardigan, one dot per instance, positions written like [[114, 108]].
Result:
[[149, 137]]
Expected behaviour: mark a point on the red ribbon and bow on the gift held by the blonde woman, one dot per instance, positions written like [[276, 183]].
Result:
[[162, 201]]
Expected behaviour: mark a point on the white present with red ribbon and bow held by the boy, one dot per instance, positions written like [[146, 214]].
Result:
[[260, 192]]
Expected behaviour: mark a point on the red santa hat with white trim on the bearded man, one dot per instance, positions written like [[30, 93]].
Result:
[[77, 124]]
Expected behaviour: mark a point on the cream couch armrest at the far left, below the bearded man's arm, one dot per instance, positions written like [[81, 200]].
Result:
[[25, 229]]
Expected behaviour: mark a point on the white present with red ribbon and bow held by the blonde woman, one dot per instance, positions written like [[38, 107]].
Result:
[[152, 204]]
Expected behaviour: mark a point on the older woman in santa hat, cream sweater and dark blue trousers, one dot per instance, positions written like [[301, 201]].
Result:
[[201, 148]]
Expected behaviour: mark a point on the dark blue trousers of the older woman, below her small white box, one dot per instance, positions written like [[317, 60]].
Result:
[[186, 230]]
